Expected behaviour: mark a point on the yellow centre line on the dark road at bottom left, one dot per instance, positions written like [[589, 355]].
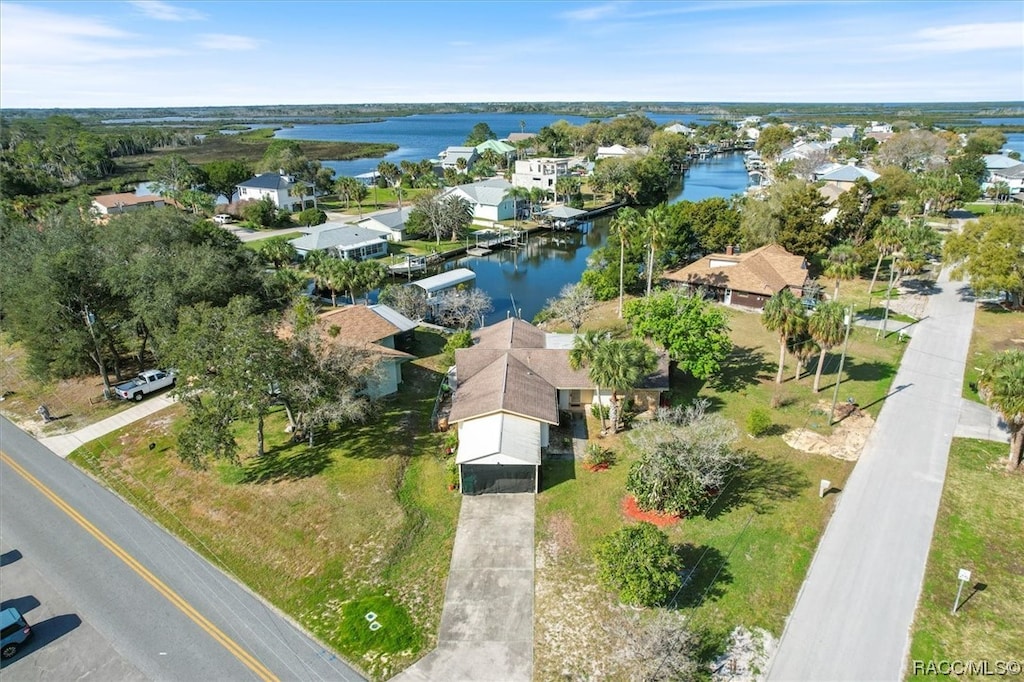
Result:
[[247, 659]]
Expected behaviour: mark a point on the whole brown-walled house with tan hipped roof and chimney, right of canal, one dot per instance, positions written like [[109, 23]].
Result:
[[746, 279]]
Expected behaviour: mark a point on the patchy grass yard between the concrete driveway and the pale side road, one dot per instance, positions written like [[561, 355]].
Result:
[[751, 547]]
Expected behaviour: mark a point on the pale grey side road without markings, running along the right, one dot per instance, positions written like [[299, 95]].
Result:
[[856, 610]]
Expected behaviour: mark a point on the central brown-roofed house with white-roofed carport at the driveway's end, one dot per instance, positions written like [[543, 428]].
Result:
[[508, 390]]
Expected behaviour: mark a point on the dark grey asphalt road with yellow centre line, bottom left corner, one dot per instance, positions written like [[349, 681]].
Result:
[[120, 599]]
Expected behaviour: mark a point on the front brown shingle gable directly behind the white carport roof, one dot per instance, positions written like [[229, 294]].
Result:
[[505, 385]]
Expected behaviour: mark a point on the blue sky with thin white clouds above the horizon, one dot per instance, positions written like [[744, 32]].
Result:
[[163, 54]]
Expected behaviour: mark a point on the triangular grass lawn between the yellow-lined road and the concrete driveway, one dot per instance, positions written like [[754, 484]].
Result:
[[362, 522]]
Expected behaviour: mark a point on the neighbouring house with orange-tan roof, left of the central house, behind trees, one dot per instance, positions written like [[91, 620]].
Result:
[[381, 331]]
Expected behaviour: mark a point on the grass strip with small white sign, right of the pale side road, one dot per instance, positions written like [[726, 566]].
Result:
[[979, 528]]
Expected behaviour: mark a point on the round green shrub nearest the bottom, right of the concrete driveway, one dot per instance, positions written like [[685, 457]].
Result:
[[639, 564]]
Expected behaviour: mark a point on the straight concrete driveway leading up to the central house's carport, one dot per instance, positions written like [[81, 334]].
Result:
[[487, 629]]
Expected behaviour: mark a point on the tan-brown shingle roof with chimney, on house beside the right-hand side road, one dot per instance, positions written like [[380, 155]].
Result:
[[766, 271]]
